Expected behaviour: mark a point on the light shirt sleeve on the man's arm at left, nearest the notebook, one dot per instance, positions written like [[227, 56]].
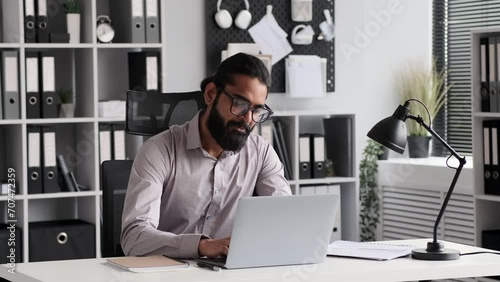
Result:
[[141, 211]]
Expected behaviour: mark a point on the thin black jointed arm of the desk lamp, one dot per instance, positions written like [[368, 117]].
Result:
[[461, 160]]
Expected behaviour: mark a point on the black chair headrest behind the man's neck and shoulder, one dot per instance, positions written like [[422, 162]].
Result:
[[149, 113]]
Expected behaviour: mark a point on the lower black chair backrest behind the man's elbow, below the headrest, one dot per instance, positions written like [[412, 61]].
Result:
[[114, 181]]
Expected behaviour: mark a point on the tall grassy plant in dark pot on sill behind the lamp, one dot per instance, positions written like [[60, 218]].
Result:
[[427, 86]]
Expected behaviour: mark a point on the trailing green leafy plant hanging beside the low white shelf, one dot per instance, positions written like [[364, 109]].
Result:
[[368, 192]]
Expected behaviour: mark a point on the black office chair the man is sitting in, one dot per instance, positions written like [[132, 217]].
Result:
[[148, 113]]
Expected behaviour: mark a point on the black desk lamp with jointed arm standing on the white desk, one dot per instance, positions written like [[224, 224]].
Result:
[[391, 132]]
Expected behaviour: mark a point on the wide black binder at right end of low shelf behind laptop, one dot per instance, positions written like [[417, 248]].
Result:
[[339, 140]]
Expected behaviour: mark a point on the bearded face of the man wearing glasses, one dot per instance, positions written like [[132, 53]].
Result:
[[228, 130]]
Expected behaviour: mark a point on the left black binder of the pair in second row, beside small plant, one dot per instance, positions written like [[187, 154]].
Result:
[[33, 105]]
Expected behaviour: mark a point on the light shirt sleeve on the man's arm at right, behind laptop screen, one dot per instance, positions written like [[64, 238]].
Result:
[[271, 179]]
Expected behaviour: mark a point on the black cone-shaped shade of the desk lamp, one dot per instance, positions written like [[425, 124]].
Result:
[[390, 132]]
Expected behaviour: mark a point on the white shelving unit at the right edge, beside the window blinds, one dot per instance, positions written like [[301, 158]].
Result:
[[485, 205]]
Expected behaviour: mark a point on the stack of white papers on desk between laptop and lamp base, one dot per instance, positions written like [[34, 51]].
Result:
[[376, 251]]
